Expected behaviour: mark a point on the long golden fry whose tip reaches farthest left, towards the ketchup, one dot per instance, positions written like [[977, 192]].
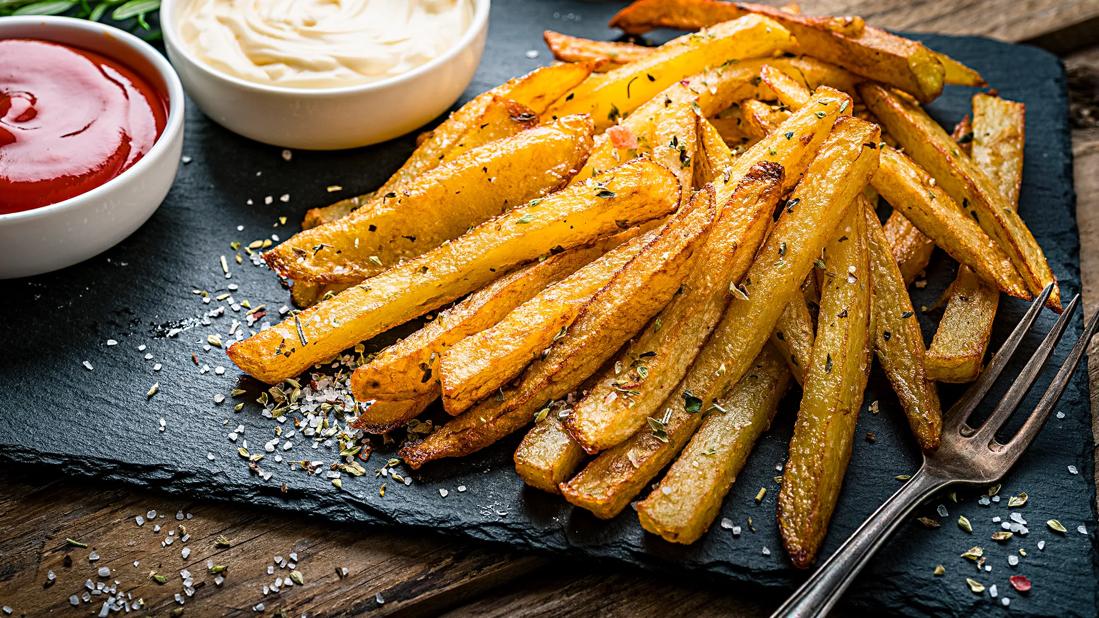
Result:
[[630, 195]]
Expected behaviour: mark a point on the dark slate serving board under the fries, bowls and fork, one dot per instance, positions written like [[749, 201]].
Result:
[[98, 424]]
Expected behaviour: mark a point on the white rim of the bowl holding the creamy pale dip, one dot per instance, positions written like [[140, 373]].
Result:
[[169, 25]]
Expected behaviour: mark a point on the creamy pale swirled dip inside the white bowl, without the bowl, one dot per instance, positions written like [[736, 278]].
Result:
[[321, 43]]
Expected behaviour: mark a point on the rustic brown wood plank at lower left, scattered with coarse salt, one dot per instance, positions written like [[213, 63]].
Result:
[[415, 575]]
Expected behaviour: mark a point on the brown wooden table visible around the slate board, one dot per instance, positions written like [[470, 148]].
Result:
[[414, 575]]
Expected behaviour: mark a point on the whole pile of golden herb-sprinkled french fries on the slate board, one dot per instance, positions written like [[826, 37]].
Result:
[[635, 252]]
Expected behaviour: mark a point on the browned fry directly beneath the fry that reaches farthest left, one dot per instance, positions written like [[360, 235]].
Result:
[[407, 372]]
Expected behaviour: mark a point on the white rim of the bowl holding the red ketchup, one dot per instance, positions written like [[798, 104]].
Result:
[[173, 126]]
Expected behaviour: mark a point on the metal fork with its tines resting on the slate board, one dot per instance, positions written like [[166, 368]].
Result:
[[969, 456]]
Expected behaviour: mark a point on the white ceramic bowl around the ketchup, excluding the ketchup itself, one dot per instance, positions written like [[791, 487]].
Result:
[[61, 235]]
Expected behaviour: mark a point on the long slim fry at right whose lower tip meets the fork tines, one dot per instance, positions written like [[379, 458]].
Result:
[[929, 146]]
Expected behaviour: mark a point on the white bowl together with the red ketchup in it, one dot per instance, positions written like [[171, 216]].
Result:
[[92, 127]]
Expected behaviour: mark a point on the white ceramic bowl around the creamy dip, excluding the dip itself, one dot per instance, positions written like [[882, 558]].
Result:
[[328, 118]]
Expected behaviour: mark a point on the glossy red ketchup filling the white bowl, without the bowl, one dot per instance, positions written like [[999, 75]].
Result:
[[71, 120]]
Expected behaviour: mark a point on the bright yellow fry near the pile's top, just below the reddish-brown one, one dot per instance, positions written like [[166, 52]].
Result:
[[614, 95]]
